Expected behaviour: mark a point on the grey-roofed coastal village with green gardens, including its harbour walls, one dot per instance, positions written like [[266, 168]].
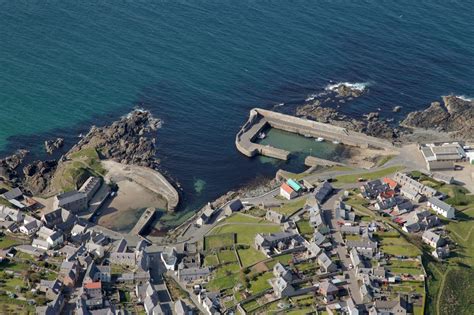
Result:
[[334, 239]]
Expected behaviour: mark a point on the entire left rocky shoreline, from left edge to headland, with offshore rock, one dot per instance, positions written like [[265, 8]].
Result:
[[127, 141]]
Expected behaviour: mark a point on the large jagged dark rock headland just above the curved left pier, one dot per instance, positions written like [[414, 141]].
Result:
[[125, 141]]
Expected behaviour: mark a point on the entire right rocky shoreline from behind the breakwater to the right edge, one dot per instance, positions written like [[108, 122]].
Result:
[[453, 119]]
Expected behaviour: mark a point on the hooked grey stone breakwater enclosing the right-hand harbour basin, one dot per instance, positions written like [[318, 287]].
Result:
[[261, 119]]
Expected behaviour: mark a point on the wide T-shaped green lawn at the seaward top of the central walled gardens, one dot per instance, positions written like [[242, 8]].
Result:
[[246, 233]]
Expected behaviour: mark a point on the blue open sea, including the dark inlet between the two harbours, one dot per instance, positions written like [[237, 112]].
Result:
[[202, 65]]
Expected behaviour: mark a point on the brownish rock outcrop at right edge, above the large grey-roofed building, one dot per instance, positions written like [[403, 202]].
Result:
[[455, 115]]
